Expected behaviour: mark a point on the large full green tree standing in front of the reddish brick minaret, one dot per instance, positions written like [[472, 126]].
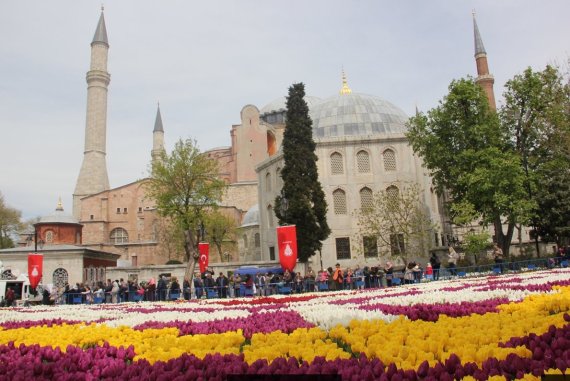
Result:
[[467, 152]]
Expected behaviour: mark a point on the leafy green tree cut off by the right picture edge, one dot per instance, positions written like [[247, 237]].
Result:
[[536, 118]]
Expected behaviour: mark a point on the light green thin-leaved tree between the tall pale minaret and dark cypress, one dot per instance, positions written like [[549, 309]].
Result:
[[186, 188]]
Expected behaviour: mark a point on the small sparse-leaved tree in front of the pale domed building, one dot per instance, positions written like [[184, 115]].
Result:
[[396, 216]]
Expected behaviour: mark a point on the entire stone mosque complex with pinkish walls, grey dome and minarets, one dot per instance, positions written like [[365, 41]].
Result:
[[361, 146]]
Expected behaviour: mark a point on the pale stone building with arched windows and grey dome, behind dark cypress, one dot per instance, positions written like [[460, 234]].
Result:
[[361, 149]]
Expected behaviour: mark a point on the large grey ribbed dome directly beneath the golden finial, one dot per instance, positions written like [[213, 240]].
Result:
[[356, 115]]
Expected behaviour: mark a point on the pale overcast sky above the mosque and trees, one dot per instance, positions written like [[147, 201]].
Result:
[[203, 61]]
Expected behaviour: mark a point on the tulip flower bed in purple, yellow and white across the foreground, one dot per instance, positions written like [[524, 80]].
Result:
[[496, 327]]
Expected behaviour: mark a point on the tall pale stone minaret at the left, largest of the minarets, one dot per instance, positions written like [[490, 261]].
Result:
[[93, 176]]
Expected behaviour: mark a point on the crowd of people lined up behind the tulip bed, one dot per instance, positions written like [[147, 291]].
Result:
[[208, 285]]
